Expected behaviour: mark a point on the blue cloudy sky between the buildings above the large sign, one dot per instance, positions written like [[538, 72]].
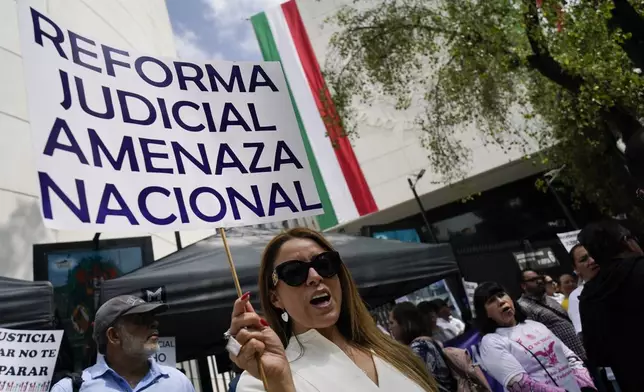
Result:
[[216, 29]]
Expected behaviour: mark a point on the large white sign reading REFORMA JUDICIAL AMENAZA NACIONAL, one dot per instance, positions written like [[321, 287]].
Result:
[[125, 141]]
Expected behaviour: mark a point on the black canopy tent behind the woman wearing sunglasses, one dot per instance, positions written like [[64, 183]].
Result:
[[197, 284]]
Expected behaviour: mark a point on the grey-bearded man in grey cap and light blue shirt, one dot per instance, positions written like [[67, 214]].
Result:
[[126, 334]]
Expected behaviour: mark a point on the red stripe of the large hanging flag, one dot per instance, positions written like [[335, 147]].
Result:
[[349, 165]]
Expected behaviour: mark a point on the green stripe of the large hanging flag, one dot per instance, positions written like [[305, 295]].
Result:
[[270, 53]]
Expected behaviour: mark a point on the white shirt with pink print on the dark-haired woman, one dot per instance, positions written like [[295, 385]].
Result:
[[504, 355]]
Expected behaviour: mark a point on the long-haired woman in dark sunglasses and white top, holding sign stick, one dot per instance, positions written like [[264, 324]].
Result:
[[319, 335]]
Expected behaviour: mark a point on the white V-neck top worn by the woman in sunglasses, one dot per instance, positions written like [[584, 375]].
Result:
[[323, 367]]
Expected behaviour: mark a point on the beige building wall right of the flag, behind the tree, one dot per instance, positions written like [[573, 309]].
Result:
[[388, 147]]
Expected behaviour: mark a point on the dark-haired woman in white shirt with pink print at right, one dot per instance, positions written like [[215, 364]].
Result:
[[521, 354]]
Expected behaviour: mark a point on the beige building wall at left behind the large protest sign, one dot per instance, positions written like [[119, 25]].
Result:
[[140, 25]]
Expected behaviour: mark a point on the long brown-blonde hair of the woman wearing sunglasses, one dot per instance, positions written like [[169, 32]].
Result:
[[355, 322]]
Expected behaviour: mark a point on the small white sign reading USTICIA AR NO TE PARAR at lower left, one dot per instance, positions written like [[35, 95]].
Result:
[[27, 359]]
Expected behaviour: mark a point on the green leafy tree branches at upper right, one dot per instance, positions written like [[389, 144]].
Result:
[[527, 74]]
